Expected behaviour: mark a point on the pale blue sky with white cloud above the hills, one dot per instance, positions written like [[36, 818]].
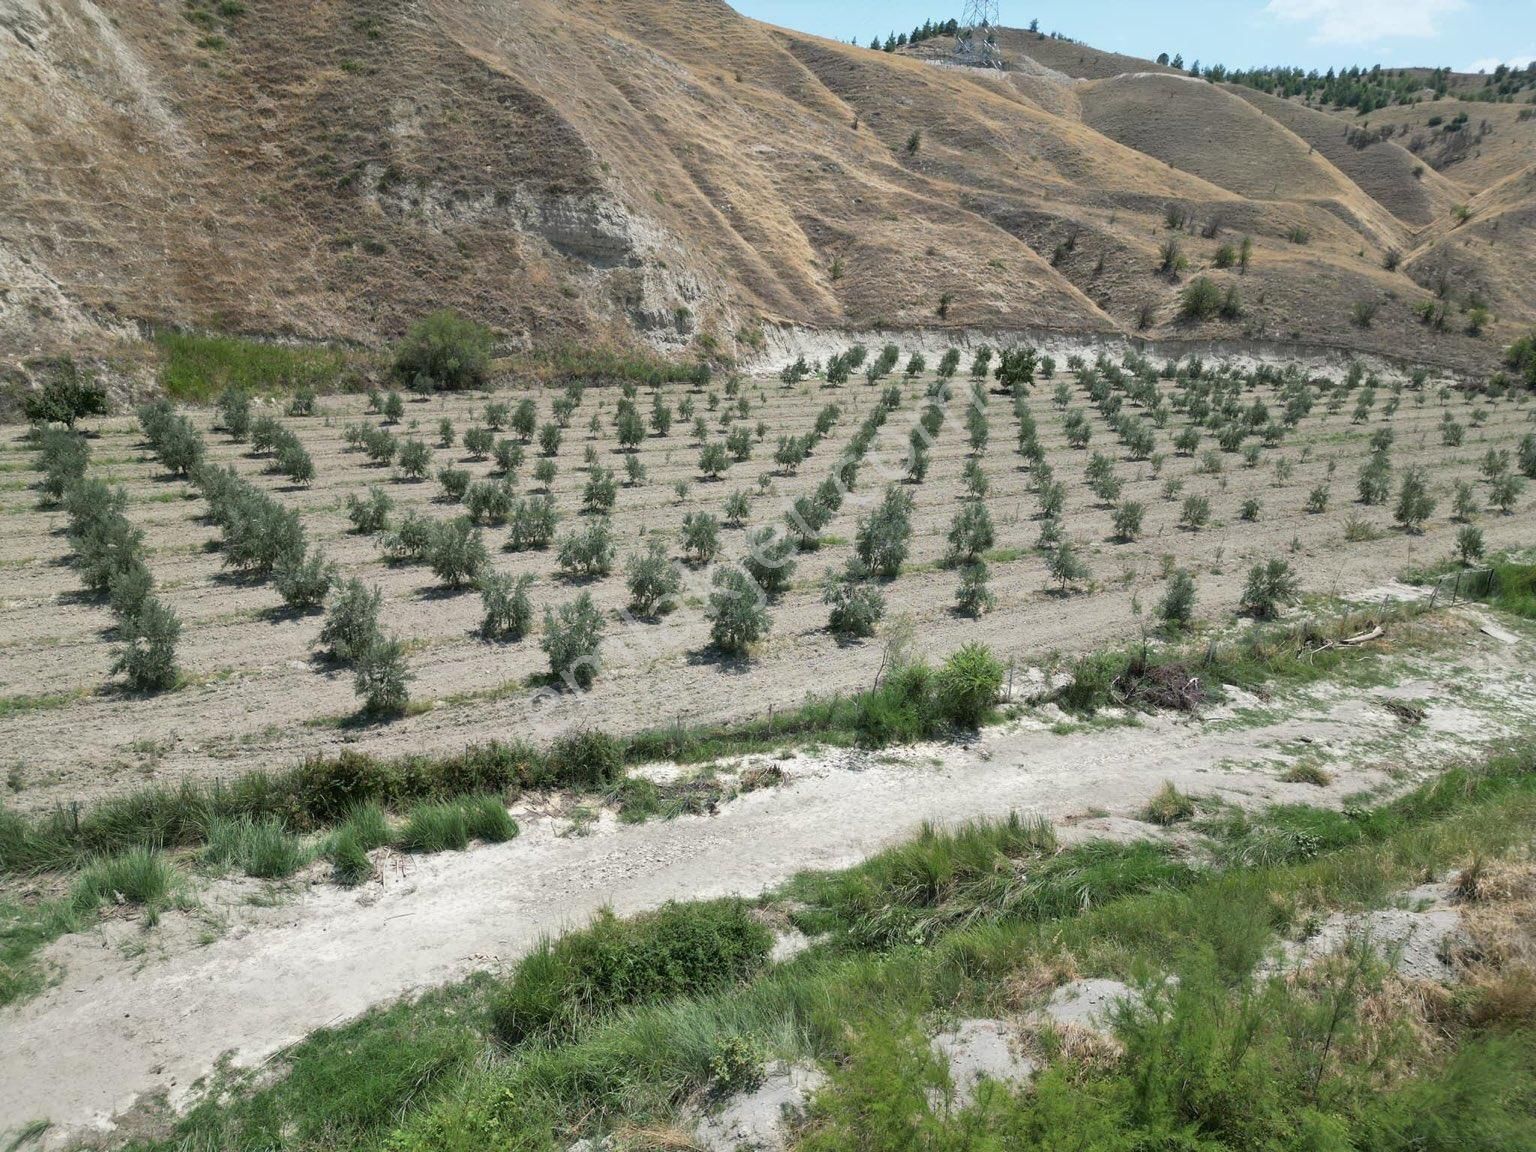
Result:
[[1463, 35]]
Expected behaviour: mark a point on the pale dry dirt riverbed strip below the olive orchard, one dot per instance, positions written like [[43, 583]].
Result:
[[150, 1011]]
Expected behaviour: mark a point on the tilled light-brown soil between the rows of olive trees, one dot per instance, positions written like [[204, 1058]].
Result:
[[257, 698]]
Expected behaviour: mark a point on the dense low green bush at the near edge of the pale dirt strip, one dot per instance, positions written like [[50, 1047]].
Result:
[[675, 952]]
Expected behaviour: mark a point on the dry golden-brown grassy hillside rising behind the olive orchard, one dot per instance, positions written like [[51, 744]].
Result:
[[670, 173]]
